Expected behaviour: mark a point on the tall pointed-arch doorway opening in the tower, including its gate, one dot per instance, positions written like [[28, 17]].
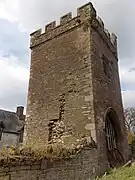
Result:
[[113, 138]]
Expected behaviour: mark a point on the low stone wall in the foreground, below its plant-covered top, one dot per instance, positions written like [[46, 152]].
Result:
[[83, 166]]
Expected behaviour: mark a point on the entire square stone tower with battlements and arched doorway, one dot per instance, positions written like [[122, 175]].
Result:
[[74, 89]]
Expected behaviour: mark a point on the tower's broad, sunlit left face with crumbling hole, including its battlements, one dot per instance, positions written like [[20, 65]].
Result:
[[61, 68]]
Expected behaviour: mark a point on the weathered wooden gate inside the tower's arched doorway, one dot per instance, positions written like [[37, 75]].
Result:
[[115, 158]]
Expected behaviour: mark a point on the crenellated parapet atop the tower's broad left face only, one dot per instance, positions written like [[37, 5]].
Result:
[[67, 22]]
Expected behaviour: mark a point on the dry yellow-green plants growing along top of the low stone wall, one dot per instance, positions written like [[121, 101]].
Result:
[[32, 153]]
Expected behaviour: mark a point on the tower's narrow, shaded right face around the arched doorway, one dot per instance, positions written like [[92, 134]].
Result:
[[107, 91]]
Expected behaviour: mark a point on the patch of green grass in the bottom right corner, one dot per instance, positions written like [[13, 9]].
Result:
[[127, 173]]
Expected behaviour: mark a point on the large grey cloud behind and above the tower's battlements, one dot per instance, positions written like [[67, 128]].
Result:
[[117, 15]]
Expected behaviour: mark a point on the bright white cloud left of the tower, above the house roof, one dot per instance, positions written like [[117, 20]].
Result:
[[13, 83]]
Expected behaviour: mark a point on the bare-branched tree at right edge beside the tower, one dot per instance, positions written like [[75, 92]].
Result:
[[129, 117]]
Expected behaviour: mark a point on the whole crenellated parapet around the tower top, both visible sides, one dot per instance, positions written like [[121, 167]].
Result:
[[84, 13]]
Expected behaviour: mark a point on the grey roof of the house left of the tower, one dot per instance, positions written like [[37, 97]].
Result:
[[10, 122]]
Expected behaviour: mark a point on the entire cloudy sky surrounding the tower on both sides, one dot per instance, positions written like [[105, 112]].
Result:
[[20, 17]]
